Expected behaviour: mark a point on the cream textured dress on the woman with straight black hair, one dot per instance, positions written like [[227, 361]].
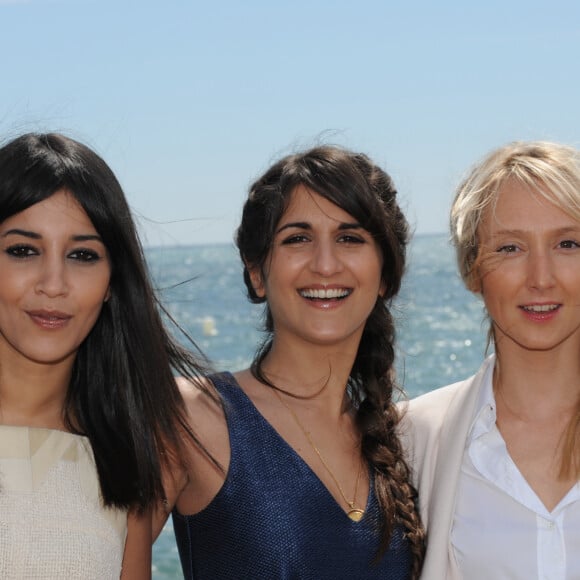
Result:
[[53, 525]]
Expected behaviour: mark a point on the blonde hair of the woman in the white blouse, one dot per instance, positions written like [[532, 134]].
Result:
[[551, 171]]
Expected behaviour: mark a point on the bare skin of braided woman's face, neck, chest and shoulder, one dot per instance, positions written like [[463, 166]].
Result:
[[321, 279]]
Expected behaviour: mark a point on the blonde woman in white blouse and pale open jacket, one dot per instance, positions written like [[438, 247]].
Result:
[[496, 457]]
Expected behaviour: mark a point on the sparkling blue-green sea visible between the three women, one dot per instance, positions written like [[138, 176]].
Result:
[[441, 327]]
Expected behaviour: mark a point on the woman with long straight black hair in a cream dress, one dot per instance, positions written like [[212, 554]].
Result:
[[88, 403]]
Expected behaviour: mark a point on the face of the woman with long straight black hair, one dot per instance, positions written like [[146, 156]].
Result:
[[55, 278]]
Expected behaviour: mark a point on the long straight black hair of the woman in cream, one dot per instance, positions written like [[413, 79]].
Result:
[[122, 393]]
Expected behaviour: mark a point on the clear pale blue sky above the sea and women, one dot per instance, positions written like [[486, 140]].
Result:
[[190, 101]]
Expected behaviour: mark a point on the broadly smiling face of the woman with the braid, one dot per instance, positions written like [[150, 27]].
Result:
[[323, 274]]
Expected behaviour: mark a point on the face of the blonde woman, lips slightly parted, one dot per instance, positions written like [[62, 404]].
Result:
[[530, 272]]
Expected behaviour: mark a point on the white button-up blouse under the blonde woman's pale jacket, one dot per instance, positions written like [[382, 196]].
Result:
[[501, 529]]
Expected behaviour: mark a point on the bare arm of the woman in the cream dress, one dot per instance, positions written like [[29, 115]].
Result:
[[137, 555]]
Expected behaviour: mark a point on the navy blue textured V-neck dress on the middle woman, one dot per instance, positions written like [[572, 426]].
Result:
[[274, 519]]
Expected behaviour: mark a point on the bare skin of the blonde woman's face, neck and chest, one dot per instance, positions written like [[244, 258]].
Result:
[[530, 282]]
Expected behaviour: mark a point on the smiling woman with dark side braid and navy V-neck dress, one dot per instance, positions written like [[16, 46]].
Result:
[[312, 483]]
